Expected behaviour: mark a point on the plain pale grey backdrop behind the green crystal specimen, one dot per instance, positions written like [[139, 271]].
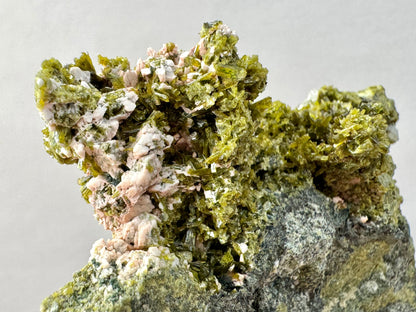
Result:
[[46, 228]]
